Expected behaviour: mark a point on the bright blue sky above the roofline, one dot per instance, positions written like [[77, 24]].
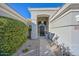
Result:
[[22, 8]]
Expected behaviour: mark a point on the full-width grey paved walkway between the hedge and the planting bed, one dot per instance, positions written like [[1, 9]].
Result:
[[38, 47]]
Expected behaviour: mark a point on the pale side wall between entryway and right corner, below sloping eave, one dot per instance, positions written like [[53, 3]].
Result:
[[64, 33]]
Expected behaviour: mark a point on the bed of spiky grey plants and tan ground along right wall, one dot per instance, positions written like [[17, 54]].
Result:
[[58, 49]]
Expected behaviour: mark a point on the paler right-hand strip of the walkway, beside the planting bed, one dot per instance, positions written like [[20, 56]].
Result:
[[44, 48]]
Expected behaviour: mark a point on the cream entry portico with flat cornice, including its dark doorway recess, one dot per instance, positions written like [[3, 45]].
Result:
[[40, 21]]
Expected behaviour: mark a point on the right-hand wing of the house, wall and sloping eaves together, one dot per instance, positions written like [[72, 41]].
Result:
[[66, 25]]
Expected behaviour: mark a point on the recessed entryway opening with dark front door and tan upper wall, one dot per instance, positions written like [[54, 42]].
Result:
[[42, 24]]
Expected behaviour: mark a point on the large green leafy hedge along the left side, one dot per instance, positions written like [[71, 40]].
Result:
[[13, 34]]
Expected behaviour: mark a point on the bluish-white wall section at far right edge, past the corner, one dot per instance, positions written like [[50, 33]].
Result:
[[75, 34]]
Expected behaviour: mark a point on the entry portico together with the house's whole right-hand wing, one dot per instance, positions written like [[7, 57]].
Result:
[[64, 22]]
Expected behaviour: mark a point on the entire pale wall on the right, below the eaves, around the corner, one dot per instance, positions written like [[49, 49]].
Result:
[[67, 35]]
